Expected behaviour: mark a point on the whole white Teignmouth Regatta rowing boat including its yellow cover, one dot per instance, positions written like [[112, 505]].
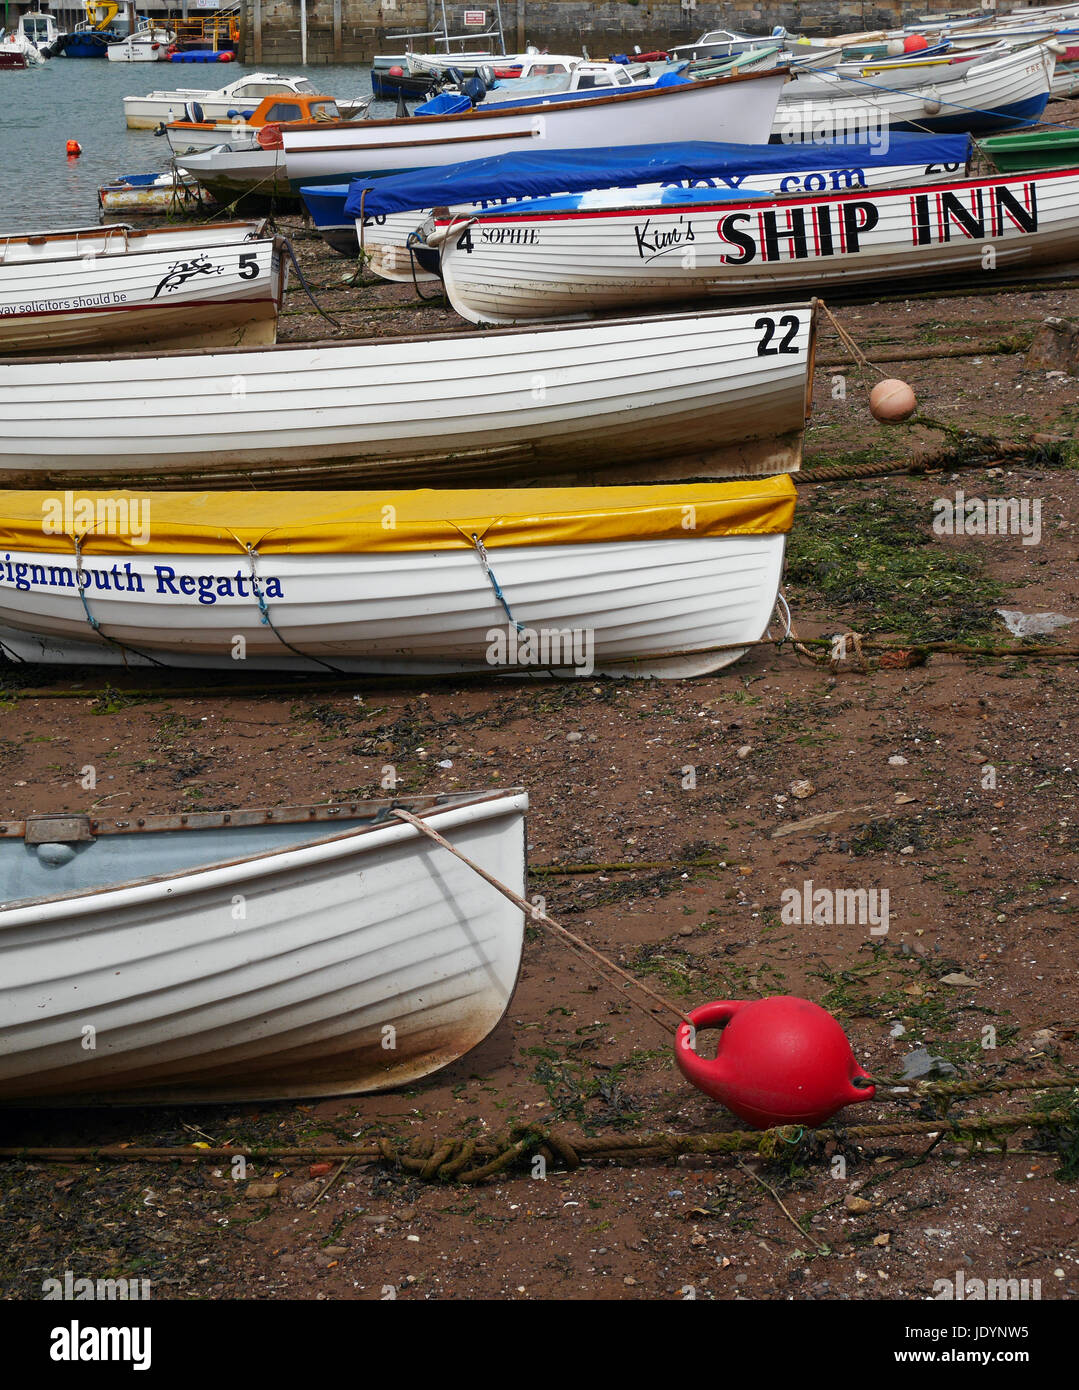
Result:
[[671, 580]]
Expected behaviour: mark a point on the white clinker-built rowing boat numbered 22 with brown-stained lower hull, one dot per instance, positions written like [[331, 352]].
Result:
[[685, 395]]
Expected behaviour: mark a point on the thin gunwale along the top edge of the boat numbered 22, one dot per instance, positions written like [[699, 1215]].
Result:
[[454, 336]]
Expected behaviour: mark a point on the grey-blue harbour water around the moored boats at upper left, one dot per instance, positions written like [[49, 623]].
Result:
[[81, 99]]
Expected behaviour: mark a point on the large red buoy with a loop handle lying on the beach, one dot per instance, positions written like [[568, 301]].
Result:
[[781, 1061]]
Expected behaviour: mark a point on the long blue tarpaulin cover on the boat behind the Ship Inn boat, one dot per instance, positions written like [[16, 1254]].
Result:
[[543, 173]]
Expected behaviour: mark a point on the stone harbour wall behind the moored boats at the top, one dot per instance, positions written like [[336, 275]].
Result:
[[352, 31]]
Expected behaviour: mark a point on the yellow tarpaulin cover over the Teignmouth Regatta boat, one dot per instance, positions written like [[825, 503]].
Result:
[[351, 523]]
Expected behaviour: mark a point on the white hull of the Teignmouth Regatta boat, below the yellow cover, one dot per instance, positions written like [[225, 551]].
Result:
[[653, 608]]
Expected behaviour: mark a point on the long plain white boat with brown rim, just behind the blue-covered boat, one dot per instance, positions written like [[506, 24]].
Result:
[[738, 109]]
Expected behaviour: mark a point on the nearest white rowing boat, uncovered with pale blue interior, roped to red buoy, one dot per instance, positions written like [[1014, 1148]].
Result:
[[254, 956]]
